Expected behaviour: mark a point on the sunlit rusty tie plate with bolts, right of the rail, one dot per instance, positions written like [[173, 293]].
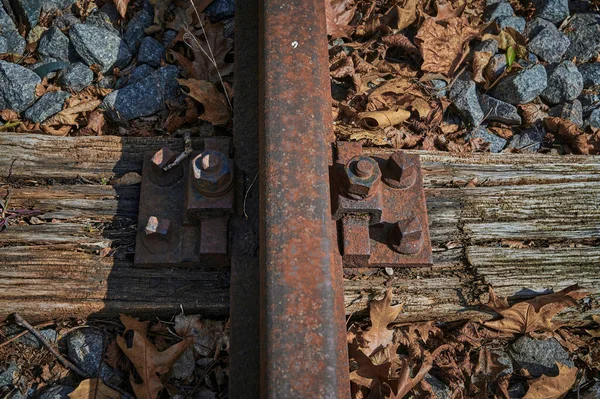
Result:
[[379, 204]]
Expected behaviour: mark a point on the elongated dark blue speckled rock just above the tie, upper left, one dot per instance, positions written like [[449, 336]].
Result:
[[145, 97]]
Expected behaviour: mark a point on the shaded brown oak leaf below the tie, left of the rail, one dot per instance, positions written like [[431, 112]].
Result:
[[147, 360]]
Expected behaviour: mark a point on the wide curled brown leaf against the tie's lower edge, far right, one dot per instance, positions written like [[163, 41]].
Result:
[[534, 314]]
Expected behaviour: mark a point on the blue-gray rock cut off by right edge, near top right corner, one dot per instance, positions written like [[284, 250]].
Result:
[[584, 33]]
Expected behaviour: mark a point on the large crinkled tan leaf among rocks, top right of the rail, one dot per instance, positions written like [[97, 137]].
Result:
[[443, 43]]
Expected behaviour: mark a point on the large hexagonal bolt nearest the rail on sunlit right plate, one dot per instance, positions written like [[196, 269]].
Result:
[[361, 177]]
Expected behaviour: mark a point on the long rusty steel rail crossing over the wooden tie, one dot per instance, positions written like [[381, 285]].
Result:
[[303, 335]]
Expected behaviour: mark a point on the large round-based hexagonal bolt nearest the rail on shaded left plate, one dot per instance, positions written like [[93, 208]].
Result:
[[212, 173]]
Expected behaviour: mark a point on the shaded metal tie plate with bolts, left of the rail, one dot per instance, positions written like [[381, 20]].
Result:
[[184, 211]]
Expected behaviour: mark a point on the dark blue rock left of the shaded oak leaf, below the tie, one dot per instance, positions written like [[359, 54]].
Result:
[[85, 348]]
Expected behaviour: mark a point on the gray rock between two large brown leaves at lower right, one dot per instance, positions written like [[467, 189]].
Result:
[[539, 356]]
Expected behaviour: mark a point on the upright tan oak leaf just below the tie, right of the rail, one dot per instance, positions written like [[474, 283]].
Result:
[[381, 313]]
